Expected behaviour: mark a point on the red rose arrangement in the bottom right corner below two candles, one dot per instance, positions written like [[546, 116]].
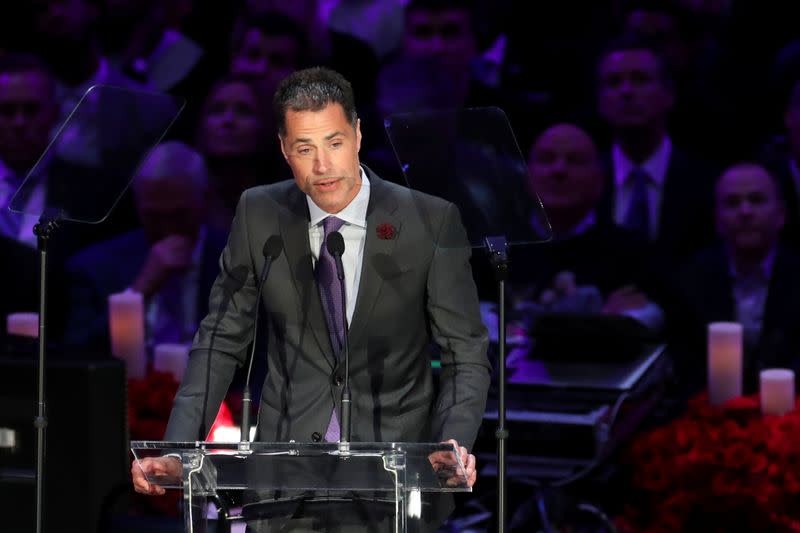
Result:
[[724, 468]]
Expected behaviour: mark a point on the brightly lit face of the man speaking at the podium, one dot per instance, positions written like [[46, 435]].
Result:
[[321, 148]]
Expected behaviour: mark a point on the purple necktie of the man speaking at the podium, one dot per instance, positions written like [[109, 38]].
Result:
[[330, 292]]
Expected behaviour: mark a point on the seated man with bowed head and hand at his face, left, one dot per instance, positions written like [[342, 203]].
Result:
[[172, 260]]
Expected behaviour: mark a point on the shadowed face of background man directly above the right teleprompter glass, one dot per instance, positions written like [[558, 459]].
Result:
[[443, 35]]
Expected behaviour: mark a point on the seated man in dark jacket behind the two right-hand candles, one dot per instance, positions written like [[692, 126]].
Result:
[[748, 278]]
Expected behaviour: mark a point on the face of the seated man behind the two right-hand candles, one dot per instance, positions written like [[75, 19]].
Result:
[[749, 213]]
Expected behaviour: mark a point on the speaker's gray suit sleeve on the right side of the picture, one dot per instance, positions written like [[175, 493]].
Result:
[[457, 328]]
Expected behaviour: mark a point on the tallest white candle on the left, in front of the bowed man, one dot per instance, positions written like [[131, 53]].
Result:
[[126, 323]]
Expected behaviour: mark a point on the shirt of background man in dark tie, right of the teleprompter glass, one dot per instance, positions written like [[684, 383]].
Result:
[[655, 166]]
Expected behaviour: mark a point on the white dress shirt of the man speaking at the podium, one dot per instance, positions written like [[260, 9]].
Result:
[[354, 233]]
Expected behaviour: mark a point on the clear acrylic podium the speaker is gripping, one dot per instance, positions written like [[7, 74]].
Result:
[[389, 480]]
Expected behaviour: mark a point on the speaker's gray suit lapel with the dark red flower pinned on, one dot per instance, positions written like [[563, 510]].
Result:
[[382, 209]]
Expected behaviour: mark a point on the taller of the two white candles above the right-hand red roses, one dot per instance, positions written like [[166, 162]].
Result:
[[724, 361]]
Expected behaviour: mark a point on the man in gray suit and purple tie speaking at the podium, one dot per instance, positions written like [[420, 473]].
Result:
[[408, 282]]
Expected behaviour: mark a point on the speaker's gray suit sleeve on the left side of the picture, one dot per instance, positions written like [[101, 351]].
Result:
[[221, 341]]
